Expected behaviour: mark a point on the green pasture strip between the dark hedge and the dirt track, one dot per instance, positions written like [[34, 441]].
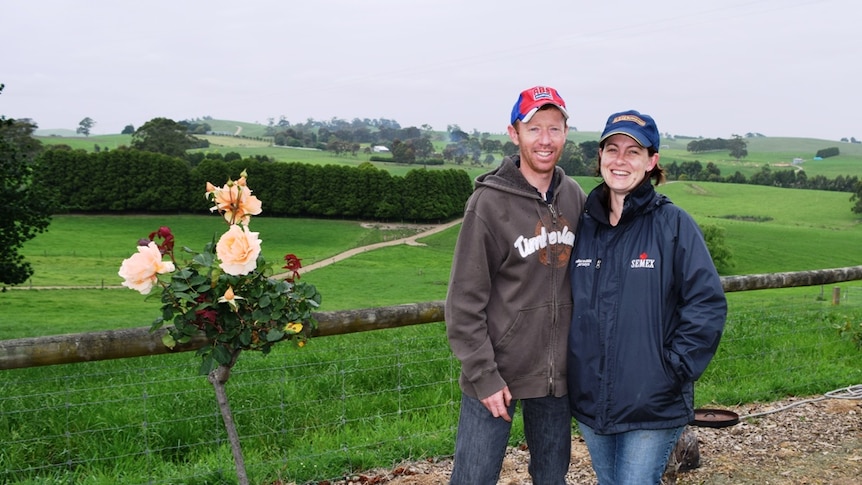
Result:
[[95, 245]]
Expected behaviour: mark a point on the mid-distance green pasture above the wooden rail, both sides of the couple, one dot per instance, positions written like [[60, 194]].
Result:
[[768, 230]]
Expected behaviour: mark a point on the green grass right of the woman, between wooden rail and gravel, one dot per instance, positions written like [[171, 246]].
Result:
[[779, 343]]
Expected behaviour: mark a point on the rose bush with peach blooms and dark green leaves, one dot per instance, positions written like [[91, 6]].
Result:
[[227, 291]]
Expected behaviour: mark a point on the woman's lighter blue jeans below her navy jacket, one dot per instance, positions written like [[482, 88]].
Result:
[[635, 457]]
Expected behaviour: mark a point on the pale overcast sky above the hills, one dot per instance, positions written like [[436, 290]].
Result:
[[708, 68]]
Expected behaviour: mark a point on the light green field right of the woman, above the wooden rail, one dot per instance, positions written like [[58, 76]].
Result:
[[801, 229]]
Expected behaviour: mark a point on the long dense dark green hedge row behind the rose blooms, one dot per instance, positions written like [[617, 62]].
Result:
[[138, 181]]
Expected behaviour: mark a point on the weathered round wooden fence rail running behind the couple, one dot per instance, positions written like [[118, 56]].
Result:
[[139, 342]]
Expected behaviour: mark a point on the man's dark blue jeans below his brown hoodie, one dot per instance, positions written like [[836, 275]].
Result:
[[480, 445]]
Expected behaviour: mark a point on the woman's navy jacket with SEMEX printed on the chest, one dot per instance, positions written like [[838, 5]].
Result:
[[648, 314]]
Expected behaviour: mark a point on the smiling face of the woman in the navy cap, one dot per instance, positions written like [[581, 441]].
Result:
[[625, 163]]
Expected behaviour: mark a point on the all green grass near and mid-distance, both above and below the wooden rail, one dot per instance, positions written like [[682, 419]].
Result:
[[355, 402]]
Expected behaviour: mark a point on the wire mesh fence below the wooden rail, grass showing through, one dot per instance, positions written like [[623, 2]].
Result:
[[351, 402]]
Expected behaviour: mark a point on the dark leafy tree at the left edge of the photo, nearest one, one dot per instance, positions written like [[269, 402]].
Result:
[[27, 211]]
